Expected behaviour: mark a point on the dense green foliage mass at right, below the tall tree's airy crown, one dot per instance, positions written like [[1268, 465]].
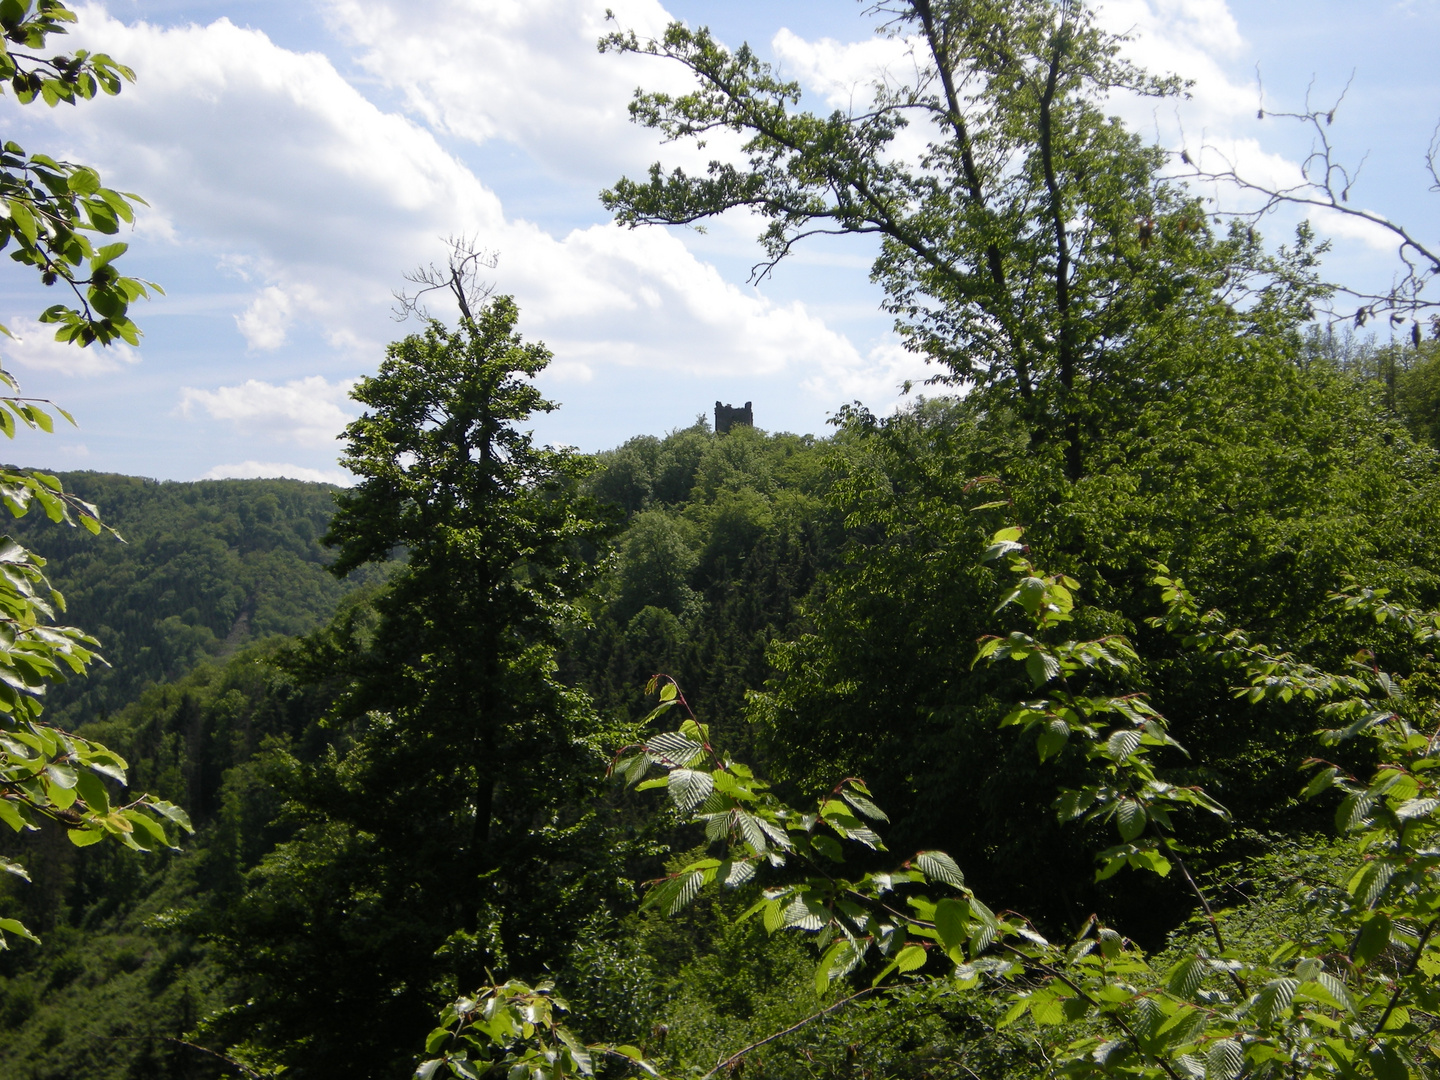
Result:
[[1266, 509]]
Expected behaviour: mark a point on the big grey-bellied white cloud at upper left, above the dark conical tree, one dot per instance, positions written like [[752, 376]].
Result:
[[283, 171]]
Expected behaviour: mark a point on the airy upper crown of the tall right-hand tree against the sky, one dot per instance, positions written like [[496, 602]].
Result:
[[1033, 247]]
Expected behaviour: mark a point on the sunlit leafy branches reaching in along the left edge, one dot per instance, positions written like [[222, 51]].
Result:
[[50, 775]]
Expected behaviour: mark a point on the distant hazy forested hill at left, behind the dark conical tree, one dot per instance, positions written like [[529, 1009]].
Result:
[[204, 570]]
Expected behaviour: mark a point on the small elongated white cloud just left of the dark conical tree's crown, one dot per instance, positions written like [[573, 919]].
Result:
[[309, 413]]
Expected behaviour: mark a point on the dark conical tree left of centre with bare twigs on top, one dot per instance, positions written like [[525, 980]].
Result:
[[451, 829]]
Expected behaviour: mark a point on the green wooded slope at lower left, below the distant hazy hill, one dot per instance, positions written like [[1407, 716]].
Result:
[[126, 977]]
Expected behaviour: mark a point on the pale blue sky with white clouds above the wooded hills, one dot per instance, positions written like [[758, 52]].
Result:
[[300, 156]]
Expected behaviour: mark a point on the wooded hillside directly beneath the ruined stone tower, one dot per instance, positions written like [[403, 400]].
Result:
[[725, 536]]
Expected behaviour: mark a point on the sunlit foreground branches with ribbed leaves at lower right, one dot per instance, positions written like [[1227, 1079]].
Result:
[[1350, 996]]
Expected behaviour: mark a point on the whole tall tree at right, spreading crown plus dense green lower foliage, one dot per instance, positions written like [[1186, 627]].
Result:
[[1134, 378]]
